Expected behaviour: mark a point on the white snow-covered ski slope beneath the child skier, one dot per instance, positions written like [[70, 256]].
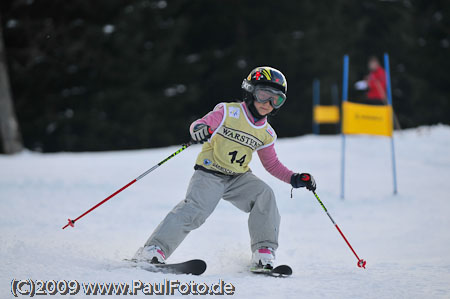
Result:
[[405, 238]]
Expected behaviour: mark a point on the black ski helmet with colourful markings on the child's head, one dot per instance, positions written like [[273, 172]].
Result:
[[263, 76]]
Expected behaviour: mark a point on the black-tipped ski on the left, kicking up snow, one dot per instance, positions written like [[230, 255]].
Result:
[[194, 267]]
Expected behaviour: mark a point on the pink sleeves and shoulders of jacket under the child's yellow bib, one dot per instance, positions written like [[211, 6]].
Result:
[[267, 155]]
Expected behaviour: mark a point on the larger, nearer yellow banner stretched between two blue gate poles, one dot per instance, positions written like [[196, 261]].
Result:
[[366, 119]]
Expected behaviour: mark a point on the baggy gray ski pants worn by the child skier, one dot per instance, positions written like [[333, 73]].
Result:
[[246, 192]]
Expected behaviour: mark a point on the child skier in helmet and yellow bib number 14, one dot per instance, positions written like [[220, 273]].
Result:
[[230, 134]]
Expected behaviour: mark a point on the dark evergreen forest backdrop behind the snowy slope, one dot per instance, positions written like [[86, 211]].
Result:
[[122, 74]]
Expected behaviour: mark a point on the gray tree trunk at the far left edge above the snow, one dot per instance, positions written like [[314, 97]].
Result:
[[10, 136]]
